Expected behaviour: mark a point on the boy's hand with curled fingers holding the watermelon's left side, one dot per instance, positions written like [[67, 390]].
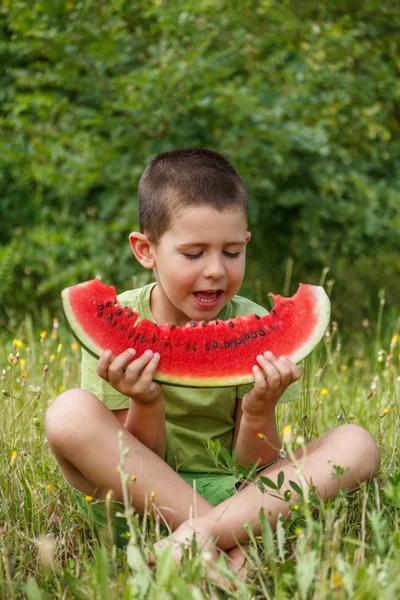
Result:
[[135, 379]]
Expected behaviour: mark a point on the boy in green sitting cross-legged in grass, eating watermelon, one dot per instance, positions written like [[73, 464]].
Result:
[[193, 219]]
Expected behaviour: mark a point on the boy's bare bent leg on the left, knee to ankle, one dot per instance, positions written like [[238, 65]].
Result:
[[83, 435]]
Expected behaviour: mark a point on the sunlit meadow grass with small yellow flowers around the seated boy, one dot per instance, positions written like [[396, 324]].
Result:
[[348, 548]]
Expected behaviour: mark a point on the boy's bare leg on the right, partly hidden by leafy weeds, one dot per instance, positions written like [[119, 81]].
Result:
[[348, 445]]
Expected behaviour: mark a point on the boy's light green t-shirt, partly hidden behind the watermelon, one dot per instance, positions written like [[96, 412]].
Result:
[[193, 415]]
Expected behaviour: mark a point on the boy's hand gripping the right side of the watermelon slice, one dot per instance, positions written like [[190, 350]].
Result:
[[272, 377]]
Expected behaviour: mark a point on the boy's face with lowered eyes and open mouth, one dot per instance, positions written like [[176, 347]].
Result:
[[199, 264]]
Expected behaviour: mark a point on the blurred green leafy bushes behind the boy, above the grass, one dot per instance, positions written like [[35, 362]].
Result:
[[304, 99]]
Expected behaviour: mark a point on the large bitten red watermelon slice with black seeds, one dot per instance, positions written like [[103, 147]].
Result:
[[201, 354]]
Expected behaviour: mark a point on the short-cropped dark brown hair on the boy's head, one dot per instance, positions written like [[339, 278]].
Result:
[[186, 177]]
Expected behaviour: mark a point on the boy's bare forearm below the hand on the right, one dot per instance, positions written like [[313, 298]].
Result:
[[248, 444]]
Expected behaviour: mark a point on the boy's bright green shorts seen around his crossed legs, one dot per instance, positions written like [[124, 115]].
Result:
[[103, 517]]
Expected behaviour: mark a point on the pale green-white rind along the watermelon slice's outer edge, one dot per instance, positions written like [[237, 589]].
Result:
[[321, 307]]
